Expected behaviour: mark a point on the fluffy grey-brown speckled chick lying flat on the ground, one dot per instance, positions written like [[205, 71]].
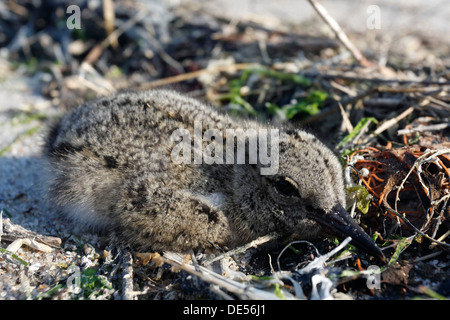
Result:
[[111, 170]]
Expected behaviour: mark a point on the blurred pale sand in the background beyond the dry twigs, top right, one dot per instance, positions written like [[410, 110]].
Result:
[[396, 18]]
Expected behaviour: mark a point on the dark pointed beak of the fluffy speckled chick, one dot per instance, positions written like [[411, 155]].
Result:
[[340, 224]]
